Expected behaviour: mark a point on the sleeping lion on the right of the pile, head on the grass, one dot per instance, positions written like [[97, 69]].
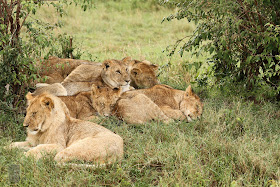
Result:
[[160, 102]]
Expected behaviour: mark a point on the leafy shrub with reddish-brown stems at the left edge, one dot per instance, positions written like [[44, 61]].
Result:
[[20, 52]]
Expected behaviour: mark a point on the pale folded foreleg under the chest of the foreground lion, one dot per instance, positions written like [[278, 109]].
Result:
[[38, 151]]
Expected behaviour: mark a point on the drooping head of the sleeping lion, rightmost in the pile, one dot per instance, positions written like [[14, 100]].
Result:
[[191, 105]]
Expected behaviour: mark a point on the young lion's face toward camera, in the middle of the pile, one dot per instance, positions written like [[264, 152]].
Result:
[[104, 99]]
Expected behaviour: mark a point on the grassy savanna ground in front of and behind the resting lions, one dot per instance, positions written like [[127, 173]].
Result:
[[235, 143]]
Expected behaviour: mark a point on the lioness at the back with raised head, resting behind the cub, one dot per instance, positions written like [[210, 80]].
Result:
[[112, 73]]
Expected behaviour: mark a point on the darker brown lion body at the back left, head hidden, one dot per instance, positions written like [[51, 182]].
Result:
[[57, 69]]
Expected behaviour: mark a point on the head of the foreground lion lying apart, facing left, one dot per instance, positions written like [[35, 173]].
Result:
[[42, 112]]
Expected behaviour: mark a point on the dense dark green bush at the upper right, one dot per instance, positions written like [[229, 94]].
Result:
[[241, 36]]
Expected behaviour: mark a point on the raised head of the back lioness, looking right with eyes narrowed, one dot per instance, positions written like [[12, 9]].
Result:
[[115, 73]]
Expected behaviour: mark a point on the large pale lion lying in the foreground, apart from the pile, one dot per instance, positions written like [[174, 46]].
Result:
[[51, 129]]
